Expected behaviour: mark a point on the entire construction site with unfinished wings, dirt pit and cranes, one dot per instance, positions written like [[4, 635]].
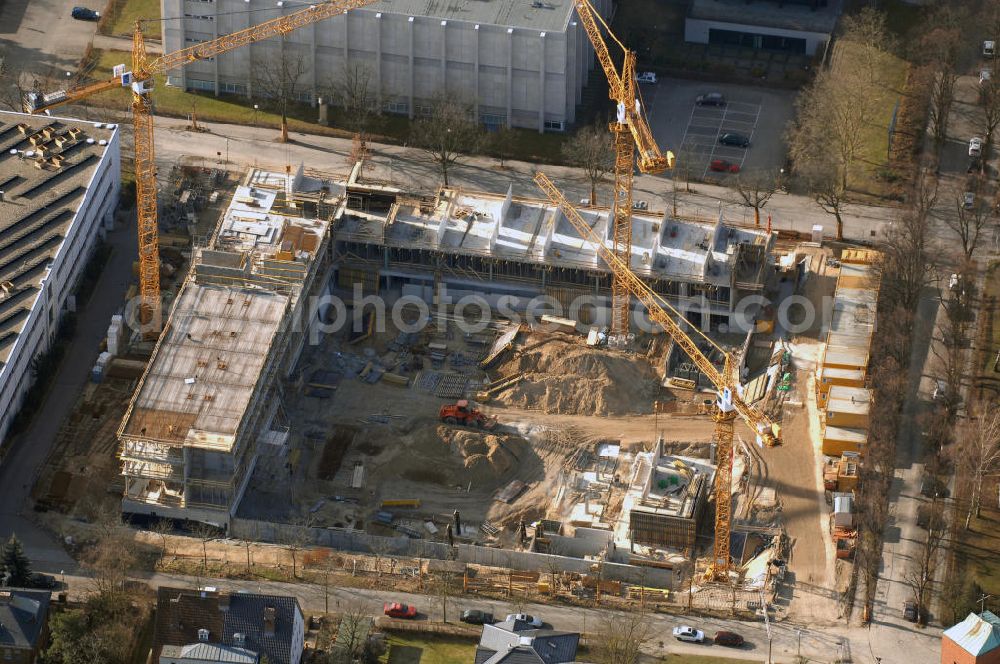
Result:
[[360, 363]]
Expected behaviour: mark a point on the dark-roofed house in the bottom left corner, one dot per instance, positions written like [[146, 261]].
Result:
[[24, 624]]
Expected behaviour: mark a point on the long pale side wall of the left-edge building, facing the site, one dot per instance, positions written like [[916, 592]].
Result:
[[93, 218]]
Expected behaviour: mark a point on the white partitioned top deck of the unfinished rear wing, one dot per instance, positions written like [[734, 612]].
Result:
[[533, 230]]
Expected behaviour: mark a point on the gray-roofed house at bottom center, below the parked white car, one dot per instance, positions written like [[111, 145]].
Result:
[[516, 642]]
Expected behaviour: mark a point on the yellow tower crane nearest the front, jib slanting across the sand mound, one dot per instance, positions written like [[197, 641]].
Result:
[[728, 403]]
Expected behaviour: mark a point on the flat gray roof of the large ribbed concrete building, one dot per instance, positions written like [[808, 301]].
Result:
[[551, 15]]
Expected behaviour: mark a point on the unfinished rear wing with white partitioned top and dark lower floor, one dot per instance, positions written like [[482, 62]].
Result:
[[395, 242]]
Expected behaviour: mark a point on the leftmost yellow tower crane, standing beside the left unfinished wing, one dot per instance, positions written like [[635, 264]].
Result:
[[140, 81]]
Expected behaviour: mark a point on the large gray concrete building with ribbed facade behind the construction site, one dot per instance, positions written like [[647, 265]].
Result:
[[520, 63]]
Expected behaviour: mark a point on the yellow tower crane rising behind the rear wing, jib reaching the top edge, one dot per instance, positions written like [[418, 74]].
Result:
[[631, 134]]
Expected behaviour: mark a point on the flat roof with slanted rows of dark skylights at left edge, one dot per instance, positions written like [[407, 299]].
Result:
[[40, 202]]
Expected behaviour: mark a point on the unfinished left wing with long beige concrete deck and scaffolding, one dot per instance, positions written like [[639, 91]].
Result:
[[189, 438]]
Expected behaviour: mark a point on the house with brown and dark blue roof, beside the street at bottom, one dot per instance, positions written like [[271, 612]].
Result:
[[201, 626]]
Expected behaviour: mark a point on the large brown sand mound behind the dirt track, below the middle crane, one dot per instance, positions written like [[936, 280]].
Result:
[[568, 377]]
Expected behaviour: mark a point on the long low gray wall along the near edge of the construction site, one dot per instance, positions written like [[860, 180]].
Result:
[[405, 547]]
